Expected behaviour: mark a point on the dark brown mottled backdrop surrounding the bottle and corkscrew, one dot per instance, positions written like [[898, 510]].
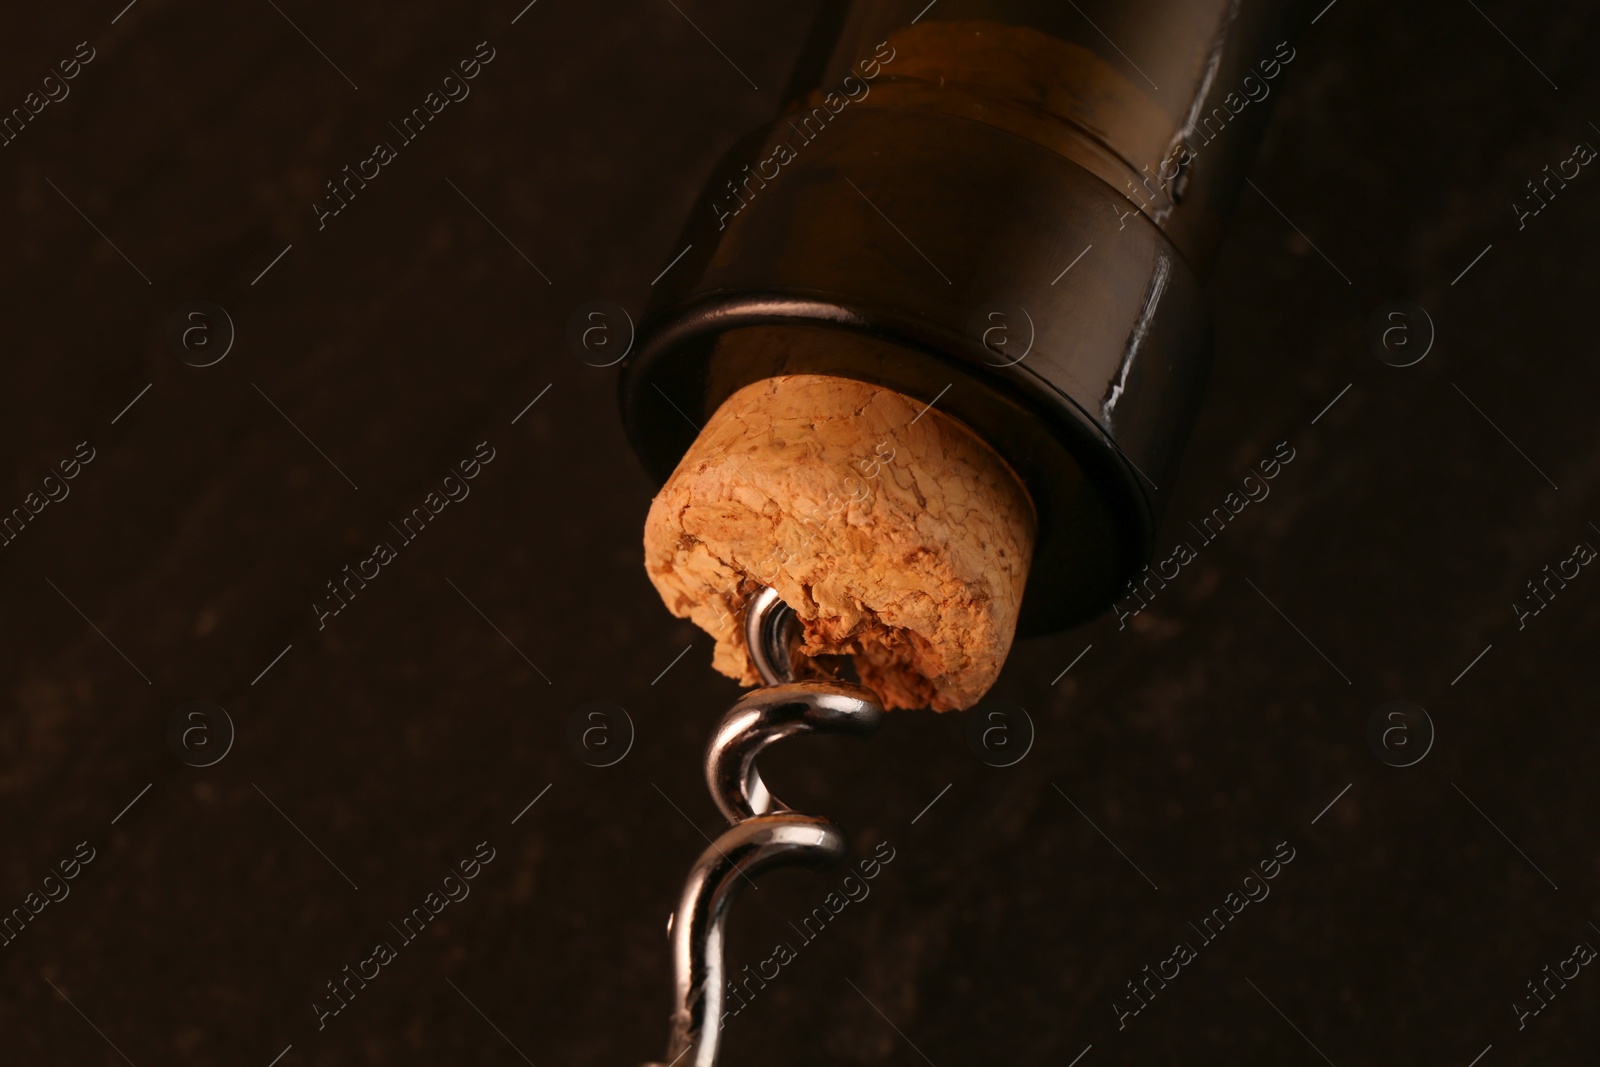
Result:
[[410, 730]]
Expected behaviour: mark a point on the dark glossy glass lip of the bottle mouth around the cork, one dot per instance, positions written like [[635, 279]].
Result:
[[1095, 516]]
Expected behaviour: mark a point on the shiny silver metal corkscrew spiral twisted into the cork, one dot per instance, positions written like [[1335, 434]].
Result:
[[766, 834]]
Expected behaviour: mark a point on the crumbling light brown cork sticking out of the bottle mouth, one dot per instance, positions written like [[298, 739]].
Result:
[[898, 537]]
